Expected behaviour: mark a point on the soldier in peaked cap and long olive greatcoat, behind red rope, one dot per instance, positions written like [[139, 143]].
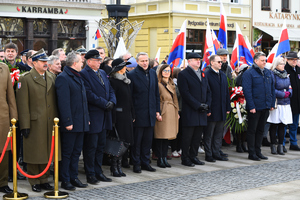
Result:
[[36, 101]]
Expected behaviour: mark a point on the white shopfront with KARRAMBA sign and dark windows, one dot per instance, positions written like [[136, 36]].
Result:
[[49, 24]]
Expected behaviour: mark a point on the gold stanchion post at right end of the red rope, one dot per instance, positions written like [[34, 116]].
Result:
[[56, 194]]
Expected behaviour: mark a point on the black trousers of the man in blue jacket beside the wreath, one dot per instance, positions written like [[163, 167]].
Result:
[[256, 126]]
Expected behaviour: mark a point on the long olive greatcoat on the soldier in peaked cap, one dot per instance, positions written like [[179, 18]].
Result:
[[36, 101]]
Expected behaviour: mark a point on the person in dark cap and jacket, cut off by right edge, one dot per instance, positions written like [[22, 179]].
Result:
[[294, 71]]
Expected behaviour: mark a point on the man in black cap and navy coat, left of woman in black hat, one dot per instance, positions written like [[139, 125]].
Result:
[[101, 100]]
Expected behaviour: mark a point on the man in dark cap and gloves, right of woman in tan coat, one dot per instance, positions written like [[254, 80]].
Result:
[[196, 98]]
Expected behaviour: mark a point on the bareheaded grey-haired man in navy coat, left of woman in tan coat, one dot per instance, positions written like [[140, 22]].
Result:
[[145, 97]]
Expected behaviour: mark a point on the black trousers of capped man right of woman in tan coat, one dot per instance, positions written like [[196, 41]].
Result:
[[191, 136]]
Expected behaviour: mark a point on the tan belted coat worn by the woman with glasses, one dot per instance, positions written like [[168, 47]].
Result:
[[168, 127]]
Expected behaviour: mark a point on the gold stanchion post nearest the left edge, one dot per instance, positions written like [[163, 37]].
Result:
[[15, 194]]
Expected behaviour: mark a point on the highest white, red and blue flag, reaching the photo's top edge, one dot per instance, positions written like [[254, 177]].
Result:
[[222, 36]]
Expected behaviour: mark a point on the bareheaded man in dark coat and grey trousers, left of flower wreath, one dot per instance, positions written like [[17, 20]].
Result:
[[220, 105]]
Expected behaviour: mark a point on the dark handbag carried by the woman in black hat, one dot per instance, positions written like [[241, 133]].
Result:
[[114, 146]]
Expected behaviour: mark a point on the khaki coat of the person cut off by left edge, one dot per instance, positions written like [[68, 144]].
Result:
[[8, 107]]
